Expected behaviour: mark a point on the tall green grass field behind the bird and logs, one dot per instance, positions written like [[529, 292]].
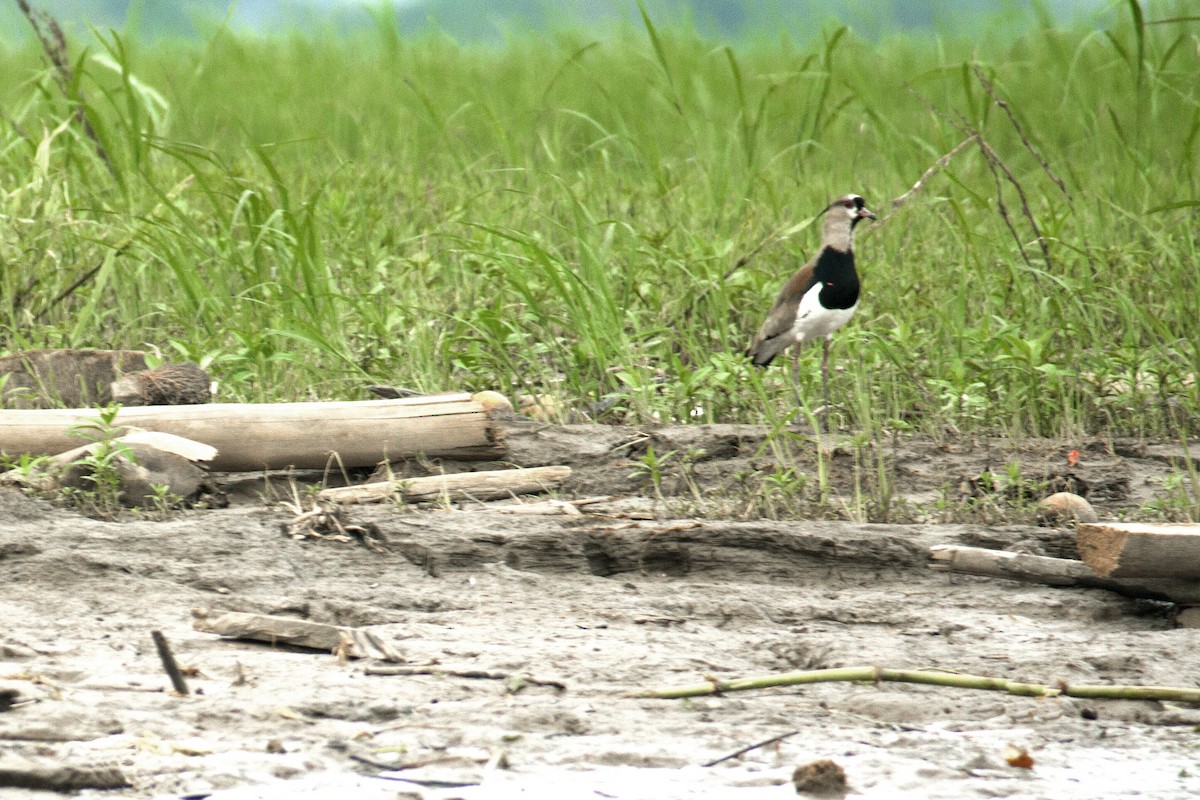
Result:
[[565, 215]]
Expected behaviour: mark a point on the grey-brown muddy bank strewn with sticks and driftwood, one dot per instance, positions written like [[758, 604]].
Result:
[[545, 623]]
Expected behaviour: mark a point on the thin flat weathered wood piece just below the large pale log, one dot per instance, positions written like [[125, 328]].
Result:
[[487, 485]]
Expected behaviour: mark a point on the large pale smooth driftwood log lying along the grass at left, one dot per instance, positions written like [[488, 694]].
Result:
[[277, 436]]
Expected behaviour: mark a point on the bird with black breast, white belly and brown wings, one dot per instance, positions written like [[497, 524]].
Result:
[[820, 298]]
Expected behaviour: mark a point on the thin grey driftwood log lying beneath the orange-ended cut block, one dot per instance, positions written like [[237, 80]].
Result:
[[1057, 573]]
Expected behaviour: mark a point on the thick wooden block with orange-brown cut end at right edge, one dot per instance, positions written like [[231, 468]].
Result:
[[1141, 550]]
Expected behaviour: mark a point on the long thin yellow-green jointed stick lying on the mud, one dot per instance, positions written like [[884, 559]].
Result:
[[880, 675]]
